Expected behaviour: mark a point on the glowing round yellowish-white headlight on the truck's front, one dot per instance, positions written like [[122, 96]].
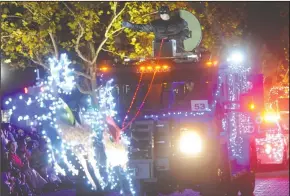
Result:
[[190, 143]]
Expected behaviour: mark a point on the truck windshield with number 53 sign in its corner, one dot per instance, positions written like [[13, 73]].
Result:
[[176, 96]]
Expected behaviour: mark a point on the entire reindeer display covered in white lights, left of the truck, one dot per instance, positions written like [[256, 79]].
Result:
[[78, 140]]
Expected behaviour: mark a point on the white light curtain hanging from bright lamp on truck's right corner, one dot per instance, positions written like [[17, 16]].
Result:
[[236, 81]]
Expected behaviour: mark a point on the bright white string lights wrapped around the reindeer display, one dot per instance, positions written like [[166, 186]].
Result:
[[78, 139]]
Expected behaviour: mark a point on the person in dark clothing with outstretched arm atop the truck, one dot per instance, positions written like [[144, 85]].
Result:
[[167, 27]]
